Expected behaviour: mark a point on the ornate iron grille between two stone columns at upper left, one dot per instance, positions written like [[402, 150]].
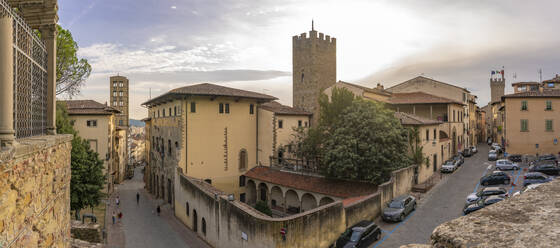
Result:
[[30, 78]]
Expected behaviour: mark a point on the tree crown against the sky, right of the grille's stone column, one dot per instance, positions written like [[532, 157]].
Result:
[[71, 72]]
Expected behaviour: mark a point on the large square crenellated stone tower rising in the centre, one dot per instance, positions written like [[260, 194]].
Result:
[[314, 69]]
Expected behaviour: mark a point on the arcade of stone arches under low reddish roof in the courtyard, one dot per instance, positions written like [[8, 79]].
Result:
[[284, 201]]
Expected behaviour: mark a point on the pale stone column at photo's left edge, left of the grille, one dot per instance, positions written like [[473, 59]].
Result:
[[6, 81]]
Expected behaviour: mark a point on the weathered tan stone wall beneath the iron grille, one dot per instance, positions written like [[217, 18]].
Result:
[[35, 193]]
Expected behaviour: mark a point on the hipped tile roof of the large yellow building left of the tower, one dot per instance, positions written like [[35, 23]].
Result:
[[207, 89]]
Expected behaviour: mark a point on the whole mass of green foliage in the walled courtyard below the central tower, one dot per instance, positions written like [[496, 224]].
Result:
[[355, 139]]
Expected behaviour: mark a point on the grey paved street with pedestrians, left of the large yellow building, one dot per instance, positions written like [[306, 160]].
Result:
[[140, 226]]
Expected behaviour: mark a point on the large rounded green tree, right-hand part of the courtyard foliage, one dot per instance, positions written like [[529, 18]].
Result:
[[366, 144]]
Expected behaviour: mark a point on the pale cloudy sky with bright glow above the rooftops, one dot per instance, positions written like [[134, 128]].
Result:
[[164, 44]]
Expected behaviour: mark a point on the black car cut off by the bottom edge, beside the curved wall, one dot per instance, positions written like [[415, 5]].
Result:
[[359, 235]]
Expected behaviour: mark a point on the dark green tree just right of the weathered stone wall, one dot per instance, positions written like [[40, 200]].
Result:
[[87, 169]]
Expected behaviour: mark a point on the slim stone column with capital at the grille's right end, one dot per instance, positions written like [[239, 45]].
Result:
[[48, 34]]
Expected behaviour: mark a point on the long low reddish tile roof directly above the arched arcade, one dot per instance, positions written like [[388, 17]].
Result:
[[326, 186]]
